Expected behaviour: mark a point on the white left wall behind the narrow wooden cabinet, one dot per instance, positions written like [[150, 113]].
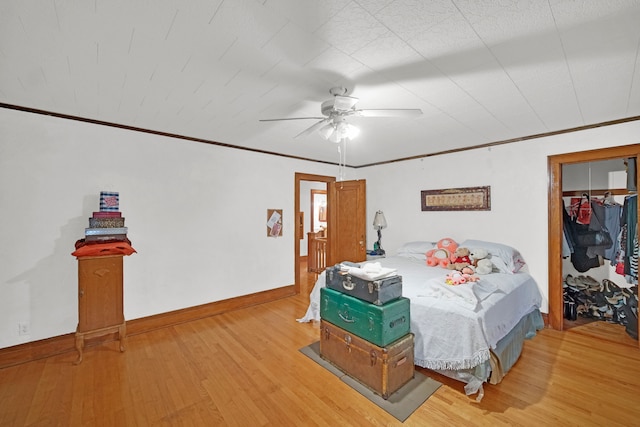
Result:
[[196, 214]]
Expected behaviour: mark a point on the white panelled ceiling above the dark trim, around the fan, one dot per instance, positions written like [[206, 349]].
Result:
[[481, 71]]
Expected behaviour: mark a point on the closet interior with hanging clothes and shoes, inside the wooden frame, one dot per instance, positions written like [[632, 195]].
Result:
[[599, 258]]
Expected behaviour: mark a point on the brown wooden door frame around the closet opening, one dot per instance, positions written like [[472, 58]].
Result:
[[555, 224]]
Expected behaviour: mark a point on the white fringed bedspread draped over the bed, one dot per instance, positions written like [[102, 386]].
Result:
[[455, 326]]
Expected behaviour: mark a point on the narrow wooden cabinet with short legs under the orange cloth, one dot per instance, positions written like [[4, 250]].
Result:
[[100, 299]]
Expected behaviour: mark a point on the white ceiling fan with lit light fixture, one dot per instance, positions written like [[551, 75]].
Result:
[[333, 125]]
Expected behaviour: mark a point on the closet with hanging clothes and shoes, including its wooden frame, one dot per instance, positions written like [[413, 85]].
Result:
[[593, 245]]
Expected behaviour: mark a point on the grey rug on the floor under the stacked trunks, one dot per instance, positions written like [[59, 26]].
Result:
[[400, 404]]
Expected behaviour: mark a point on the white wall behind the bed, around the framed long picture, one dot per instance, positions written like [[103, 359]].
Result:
[[517, 174]]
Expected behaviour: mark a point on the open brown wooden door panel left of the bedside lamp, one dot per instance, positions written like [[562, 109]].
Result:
[[346, 201]]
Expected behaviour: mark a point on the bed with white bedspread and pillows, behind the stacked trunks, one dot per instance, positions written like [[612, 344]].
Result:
[[494, 315]]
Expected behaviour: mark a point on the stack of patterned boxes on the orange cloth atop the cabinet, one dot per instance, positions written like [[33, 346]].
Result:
[[108, 224]]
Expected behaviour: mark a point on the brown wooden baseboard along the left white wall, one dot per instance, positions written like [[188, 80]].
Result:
[[35, 350]]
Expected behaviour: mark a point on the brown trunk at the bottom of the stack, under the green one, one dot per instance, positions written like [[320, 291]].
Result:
[[382, 369]]
